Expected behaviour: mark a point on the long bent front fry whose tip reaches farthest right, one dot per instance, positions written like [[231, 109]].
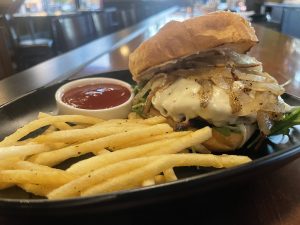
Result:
[[133, 178]]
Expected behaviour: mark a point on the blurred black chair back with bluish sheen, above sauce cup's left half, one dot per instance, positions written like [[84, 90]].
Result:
[[73, 31]]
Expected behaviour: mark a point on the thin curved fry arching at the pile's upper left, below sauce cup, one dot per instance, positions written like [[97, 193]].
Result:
[[36, 124]]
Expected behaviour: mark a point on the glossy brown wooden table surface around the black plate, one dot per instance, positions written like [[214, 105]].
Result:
[[271, 198]]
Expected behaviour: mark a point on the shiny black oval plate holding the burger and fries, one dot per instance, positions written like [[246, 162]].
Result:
[[272, 154]]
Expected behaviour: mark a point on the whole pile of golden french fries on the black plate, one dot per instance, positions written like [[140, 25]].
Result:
[[126, 153]]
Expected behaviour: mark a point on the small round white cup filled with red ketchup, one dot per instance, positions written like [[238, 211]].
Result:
[[105, 98]]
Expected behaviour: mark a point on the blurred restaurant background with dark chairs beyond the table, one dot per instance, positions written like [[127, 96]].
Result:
[[32, 31]]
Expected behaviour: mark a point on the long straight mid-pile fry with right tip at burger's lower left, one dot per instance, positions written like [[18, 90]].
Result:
[[113, 141]]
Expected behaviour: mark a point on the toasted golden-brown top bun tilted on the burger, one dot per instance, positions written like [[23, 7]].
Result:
[[196, 35]]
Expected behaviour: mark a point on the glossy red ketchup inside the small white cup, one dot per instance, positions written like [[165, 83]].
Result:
[[96, 96]]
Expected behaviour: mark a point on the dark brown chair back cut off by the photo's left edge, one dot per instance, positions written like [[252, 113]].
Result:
[[6, 68]]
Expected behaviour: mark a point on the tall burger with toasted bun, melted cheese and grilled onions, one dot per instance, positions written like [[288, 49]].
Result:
[[197, 73]]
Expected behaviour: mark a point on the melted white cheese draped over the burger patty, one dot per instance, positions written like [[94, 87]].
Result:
[[181, 101]]
